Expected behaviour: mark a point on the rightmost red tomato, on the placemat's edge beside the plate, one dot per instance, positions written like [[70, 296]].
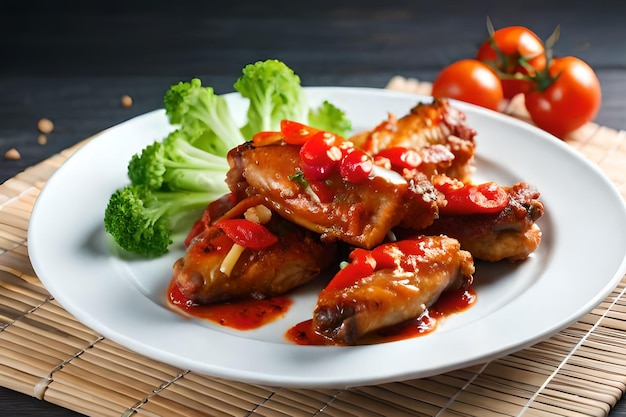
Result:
[[571, 98]]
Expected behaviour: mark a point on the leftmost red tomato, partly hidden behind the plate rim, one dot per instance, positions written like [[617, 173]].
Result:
[[471, 81]]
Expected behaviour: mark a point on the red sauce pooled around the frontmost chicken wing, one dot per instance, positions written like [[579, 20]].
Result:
[[449, 303]]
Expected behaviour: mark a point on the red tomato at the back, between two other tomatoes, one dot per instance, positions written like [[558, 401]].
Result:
[[513, 50]]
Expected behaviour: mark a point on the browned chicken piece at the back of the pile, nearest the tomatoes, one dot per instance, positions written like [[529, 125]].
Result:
[[427, 124]]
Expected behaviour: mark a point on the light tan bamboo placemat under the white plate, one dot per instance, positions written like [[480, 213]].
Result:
[[46, 353]]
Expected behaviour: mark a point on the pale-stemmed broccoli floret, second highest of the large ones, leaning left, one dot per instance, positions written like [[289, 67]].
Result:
[[204, 115]]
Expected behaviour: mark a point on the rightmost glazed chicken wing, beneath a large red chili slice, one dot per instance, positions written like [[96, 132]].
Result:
[[512, 234]]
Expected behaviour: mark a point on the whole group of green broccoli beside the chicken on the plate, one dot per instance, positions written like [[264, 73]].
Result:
[[174, 179]]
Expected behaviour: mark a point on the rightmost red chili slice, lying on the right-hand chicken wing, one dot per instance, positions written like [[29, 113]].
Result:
[[486, 198]]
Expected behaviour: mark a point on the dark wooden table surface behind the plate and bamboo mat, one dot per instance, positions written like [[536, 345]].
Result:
[[71, 63]]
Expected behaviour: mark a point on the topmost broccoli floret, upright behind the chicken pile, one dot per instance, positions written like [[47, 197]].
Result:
[[274, 92]]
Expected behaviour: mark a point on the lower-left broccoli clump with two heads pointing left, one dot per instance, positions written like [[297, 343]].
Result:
[[172, 182]]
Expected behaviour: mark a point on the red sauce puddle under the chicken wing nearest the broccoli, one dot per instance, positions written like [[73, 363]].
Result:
[[240, 315]]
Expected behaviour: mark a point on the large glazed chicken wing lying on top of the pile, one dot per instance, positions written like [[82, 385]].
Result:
[[360, 214]]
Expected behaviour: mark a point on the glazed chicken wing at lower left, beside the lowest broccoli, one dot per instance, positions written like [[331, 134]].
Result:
[[297, 258]]
